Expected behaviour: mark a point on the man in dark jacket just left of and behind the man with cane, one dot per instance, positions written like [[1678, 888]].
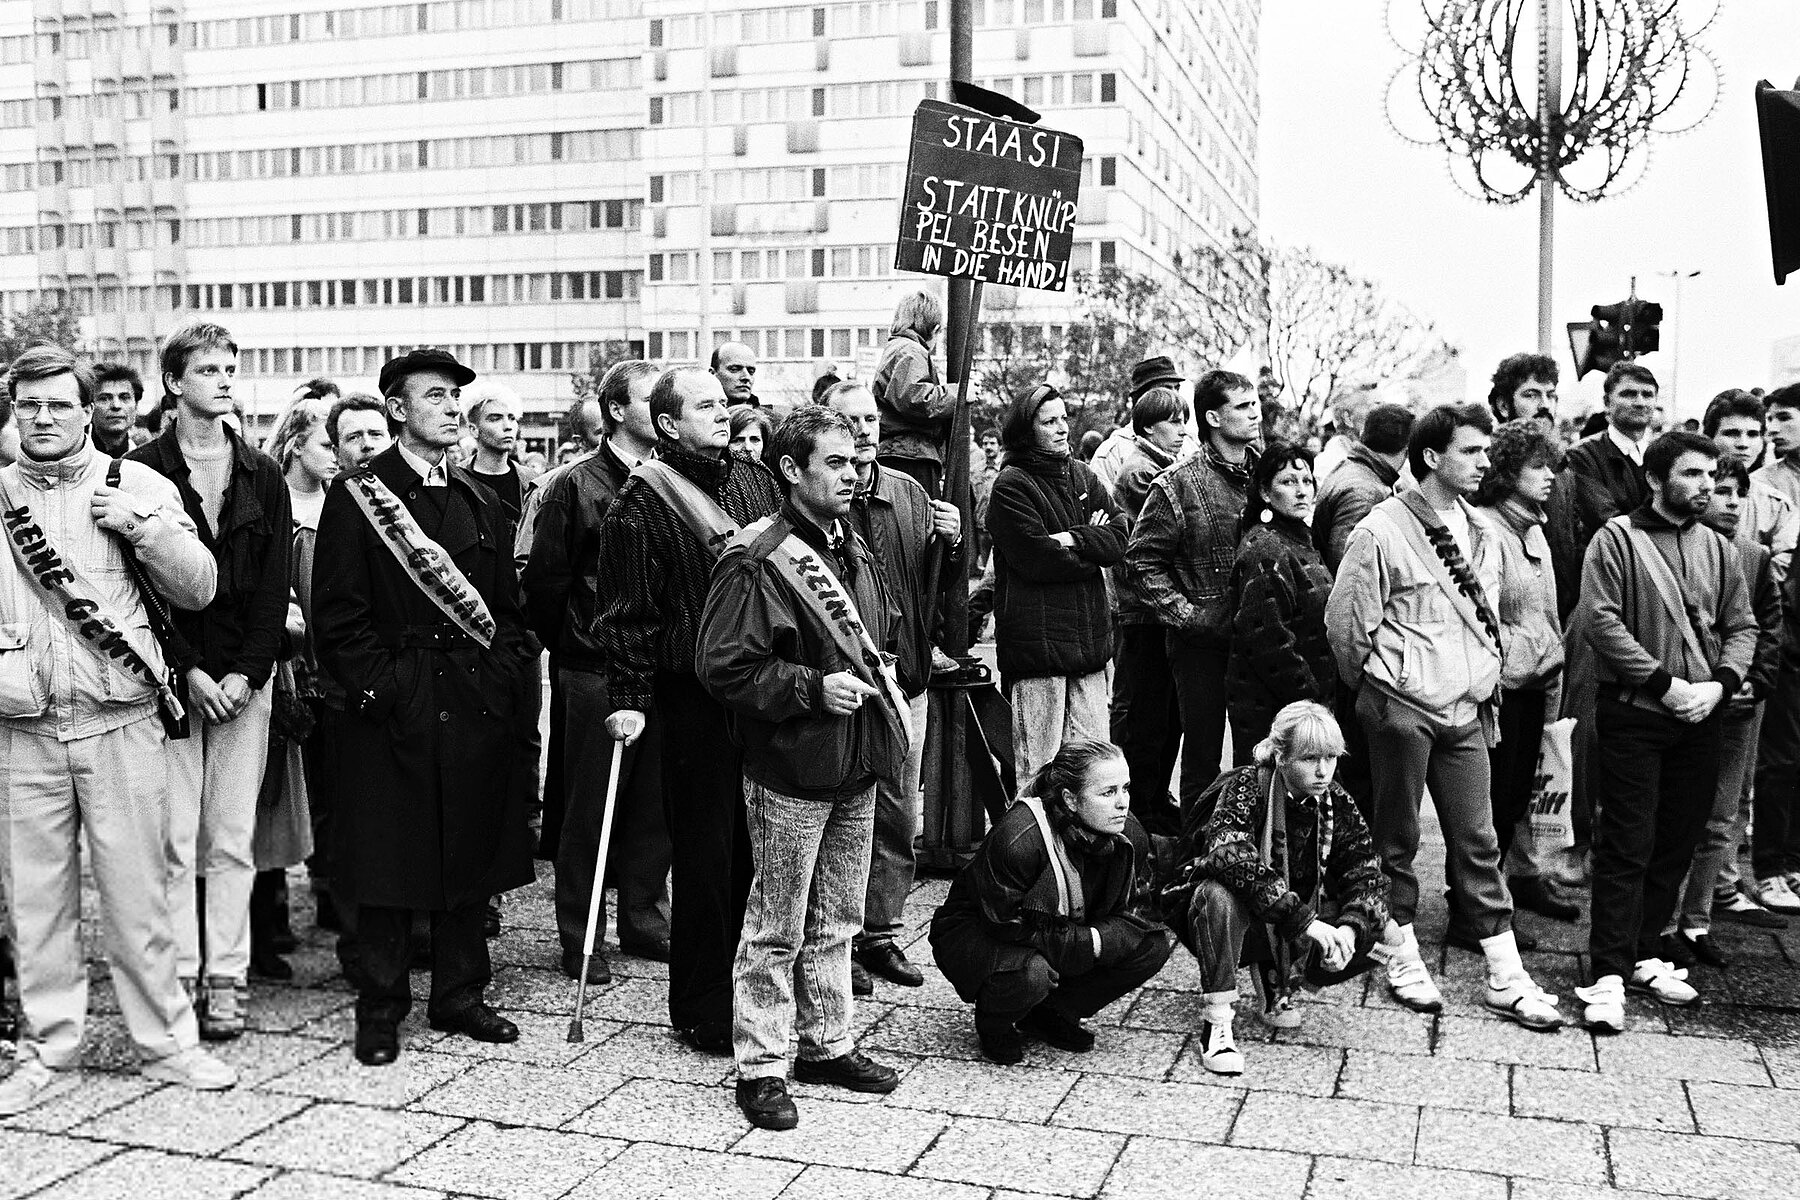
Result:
[[562, 584]]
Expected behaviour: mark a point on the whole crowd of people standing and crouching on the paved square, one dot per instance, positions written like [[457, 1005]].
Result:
[[220, 663]]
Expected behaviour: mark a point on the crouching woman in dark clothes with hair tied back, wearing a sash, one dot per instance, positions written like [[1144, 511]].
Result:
[[1039, 931]]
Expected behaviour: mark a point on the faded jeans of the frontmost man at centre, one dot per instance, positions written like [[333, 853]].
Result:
[[813, 868]]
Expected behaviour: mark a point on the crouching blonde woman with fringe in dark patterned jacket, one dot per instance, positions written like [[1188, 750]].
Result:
[[1281, 877]]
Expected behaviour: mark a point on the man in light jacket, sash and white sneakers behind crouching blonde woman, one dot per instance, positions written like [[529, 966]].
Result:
[[1414, 625]]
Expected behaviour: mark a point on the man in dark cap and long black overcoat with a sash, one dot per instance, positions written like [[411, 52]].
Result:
[[418, 618]]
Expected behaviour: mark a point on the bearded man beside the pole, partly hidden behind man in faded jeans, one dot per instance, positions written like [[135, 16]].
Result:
[[903, 530]]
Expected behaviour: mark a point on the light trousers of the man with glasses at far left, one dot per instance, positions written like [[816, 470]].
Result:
[[114, 787]]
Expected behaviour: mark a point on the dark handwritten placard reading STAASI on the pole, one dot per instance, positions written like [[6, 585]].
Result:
[[989, 199]]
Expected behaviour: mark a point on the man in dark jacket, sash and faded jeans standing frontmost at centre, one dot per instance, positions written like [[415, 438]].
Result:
[[795, 645]]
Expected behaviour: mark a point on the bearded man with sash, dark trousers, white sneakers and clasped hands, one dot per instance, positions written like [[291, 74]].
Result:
[[1669, 618]]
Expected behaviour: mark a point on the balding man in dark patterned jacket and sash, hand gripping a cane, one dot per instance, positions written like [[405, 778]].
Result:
[[663, 535]]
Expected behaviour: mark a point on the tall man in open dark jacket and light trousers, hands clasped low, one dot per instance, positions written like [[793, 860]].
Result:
[[240, 505]]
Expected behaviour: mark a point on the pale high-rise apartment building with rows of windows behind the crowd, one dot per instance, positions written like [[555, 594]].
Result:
[[526, 181]]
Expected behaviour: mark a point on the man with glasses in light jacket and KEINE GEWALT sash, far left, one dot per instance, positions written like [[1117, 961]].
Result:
[[80, 739]]
